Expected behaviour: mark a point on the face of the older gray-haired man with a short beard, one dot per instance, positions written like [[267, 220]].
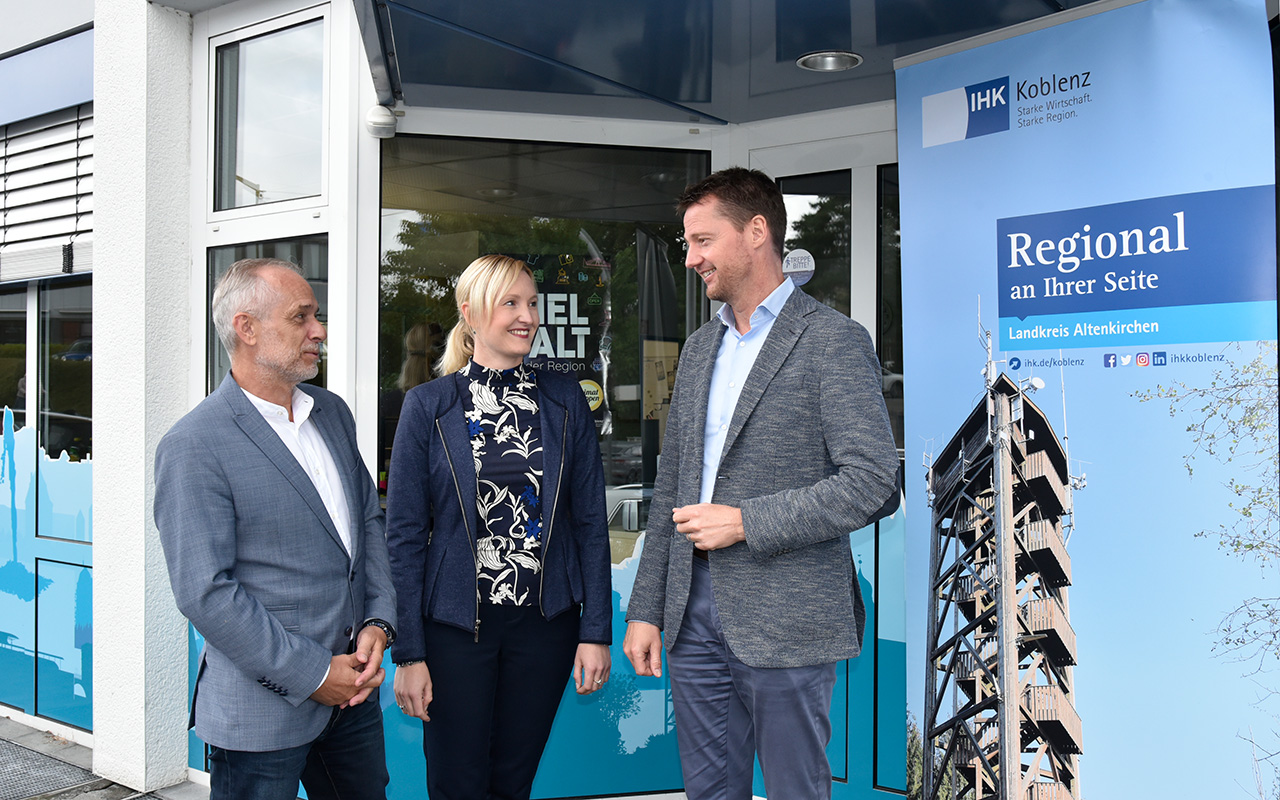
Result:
[[287, 346]]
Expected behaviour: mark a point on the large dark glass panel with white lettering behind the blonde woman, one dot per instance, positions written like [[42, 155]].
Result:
[[598, 227]]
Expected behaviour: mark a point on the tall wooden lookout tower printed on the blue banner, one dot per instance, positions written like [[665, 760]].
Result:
[[1000, 720]]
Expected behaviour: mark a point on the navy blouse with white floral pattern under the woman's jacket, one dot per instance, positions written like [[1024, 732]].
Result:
[[502, 419]]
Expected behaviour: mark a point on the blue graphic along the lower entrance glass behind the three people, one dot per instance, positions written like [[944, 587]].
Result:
[[623, 740]]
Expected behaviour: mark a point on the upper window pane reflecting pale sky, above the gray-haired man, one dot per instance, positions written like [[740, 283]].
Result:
[[269, 118]]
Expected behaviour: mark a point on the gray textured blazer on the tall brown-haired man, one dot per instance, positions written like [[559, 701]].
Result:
[[810, 458]]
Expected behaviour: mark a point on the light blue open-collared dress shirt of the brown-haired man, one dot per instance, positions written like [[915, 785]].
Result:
[[734, 364]]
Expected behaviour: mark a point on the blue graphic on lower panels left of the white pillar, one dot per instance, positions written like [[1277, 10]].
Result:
[[47, 597]]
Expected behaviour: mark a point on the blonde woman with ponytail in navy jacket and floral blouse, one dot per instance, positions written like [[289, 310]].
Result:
[[499, 546]]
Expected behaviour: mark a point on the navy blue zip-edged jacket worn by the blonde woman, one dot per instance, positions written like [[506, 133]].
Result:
[[432, 515]]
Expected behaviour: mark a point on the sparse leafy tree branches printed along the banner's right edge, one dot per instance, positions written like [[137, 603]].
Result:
[[1233, 420]]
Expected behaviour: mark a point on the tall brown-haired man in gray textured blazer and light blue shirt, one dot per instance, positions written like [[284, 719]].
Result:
[[778, 447]]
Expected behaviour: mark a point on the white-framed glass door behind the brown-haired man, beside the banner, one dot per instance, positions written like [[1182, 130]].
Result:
[[842, 198]]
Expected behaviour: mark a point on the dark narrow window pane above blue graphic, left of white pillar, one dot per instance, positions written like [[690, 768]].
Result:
[[67, 369]]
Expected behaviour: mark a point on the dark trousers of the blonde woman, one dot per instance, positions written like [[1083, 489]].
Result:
[[495, 701]]
